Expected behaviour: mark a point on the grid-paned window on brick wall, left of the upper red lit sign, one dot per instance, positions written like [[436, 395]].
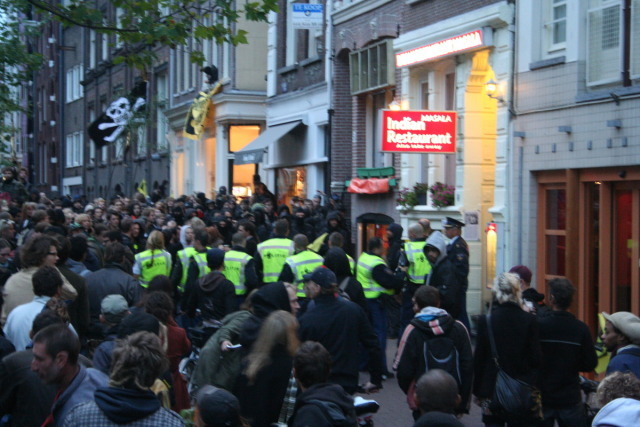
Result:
[[372, 68]]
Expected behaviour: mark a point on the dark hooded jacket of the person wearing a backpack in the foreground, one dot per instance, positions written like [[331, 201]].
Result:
[[431, 323]]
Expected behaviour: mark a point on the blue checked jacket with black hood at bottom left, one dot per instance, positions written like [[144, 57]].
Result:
[[123, 406]]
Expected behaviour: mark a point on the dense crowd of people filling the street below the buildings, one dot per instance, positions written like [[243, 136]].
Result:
[[103, 299]]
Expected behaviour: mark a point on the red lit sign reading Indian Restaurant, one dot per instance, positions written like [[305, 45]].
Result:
[[419, 131]]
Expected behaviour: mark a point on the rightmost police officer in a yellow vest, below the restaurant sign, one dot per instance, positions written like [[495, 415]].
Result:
[[417, 271]]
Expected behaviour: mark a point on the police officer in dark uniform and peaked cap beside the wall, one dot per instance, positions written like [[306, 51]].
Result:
[[458, 254]]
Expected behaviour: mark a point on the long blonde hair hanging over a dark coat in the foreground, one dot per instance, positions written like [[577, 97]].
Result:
[[279, 328]]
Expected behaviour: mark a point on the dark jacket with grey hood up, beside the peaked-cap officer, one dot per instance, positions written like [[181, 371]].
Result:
[[443, 276]]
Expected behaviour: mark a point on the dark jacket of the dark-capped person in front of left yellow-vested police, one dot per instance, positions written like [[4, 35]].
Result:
[[214, 295]]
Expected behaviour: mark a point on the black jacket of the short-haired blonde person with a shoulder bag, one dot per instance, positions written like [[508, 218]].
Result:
[[518, 345]]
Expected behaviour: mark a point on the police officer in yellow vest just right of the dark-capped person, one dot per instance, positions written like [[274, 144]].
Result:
[[240, 267]]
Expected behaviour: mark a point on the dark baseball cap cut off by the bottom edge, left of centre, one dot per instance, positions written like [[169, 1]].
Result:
[[218, 407]]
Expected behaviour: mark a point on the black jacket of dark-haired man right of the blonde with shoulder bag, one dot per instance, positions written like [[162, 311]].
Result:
[[567, 349]]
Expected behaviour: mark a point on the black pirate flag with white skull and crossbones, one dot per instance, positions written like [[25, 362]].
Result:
[[112, 122]]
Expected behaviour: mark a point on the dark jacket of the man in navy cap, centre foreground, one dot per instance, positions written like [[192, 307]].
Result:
[[340, 325]]
